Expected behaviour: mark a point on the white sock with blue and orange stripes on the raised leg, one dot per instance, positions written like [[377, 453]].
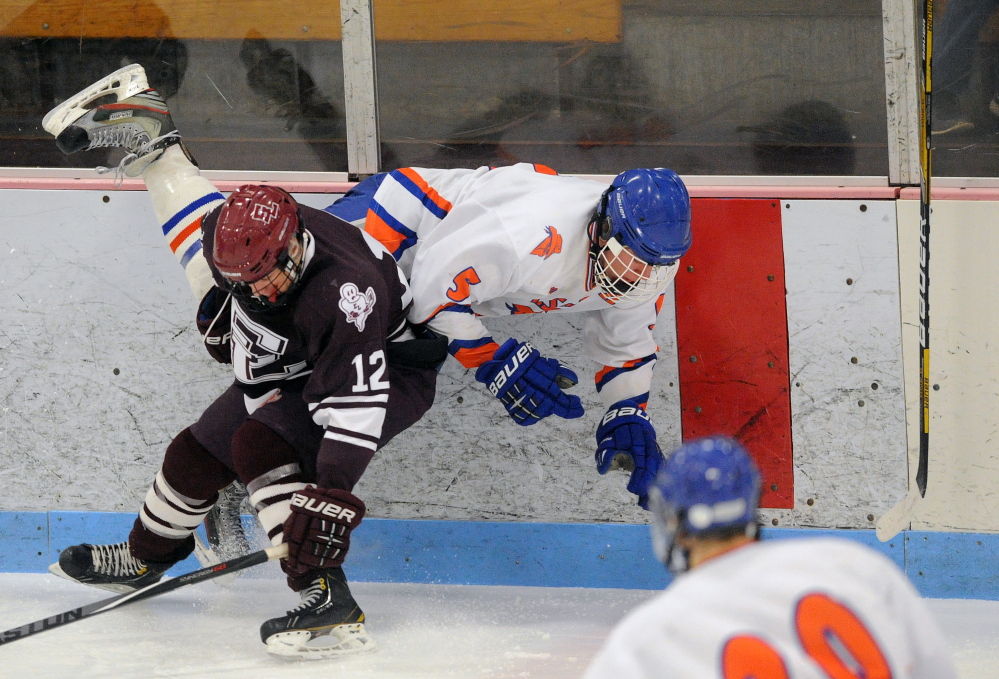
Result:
[[181, 197]]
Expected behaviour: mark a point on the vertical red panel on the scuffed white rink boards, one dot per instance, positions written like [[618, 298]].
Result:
[[731, 323]]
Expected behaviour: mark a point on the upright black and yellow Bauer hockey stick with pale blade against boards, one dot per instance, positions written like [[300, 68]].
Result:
[[899, 516]]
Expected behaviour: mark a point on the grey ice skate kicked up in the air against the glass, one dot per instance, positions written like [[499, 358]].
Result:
[[118, 111]]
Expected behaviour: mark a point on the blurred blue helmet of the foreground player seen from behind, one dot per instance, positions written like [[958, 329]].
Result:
[[707, 487]]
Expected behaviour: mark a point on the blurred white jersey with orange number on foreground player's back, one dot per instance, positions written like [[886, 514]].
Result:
[[789, 609]]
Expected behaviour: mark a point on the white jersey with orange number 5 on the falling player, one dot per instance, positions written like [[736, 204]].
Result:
[[510, 240]]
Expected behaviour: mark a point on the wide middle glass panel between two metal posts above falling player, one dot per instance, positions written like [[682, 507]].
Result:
[[774, 87]]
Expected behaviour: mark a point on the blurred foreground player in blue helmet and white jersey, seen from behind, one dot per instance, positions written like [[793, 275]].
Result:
[[741, 609]]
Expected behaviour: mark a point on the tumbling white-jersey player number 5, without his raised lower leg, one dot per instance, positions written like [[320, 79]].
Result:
[[523, 240]]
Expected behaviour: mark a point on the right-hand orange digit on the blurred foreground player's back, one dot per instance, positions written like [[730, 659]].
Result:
[[820, 620]]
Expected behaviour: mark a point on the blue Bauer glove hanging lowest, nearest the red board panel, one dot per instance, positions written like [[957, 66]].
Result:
[[626, 440]]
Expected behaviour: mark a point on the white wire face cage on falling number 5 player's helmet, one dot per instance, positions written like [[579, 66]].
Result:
[[627, 281]]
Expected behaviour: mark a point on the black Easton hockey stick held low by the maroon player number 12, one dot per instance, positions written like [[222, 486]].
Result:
[[148, 592]]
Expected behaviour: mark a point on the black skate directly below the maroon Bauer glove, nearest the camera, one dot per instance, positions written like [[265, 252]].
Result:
[[327, 624]]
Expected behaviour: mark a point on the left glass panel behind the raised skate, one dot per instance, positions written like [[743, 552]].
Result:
[[251, 85]]
